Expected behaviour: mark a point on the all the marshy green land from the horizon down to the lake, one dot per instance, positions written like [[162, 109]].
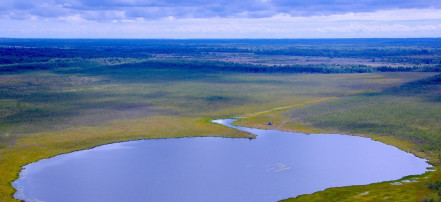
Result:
[[58, 96]]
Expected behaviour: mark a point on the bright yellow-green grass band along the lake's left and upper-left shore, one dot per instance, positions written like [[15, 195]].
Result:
[[48, 144]]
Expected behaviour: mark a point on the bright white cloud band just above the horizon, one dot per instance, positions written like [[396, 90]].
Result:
[[387, 23]]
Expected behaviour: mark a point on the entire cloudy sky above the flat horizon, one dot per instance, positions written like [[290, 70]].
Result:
[[182, 19]]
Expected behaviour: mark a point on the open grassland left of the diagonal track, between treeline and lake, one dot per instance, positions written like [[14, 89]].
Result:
[[99, 111]]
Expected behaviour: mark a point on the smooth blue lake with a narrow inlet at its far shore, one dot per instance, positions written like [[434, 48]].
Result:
[[274, 166]]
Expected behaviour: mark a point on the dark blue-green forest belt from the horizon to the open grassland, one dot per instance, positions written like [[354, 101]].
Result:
[[416, 54]]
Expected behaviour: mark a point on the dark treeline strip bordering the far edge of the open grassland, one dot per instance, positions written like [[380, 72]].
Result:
[[212, 66]]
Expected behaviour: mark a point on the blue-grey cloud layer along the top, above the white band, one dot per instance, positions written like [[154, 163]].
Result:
[[106, 10]]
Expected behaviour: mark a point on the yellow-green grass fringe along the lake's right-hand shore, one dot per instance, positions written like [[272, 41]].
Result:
[[409, 188]]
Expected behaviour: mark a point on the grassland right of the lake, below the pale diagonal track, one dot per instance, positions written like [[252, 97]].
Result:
[[407, 116]]
